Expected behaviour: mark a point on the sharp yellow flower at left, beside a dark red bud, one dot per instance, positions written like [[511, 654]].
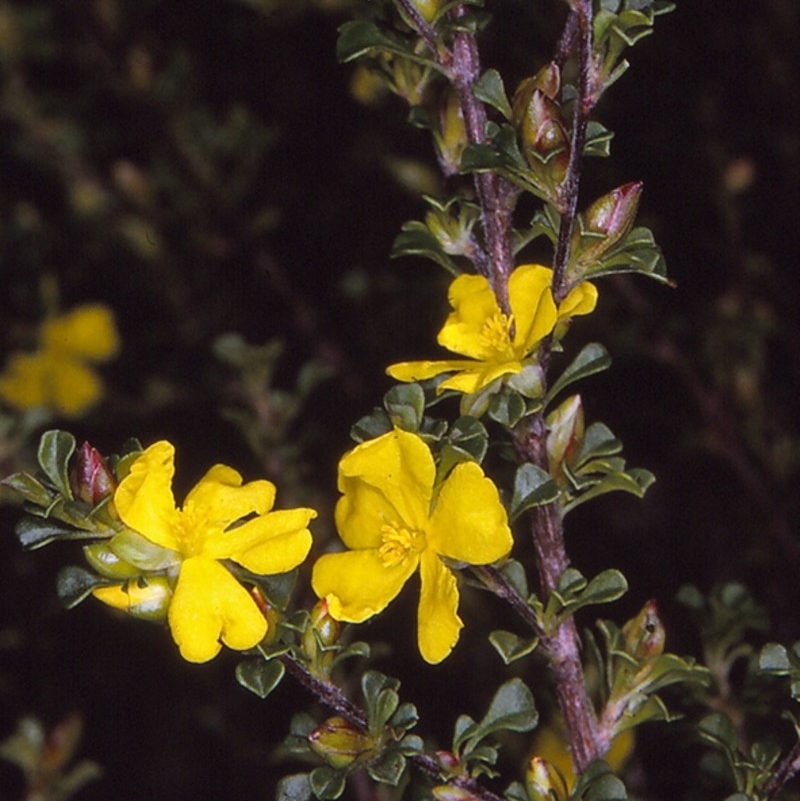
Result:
[[208, 603]]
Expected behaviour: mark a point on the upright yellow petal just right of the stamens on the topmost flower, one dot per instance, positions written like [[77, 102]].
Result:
[[532, 305]]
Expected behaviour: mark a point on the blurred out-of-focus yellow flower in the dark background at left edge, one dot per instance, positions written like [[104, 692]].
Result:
[[58, 375]]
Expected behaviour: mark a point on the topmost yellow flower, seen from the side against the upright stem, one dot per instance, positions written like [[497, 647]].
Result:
[[479, 330]]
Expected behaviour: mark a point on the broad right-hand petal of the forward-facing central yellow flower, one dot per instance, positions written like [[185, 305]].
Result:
[[469, 524]]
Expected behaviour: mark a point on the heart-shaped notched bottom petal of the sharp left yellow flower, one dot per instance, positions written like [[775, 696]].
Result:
[[209, 605]]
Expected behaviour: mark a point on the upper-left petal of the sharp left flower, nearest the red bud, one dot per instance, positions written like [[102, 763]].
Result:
[[144, 498]]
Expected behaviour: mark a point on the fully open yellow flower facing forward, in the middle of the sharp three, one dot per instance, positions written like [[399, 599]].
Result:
[[385, 517]]
